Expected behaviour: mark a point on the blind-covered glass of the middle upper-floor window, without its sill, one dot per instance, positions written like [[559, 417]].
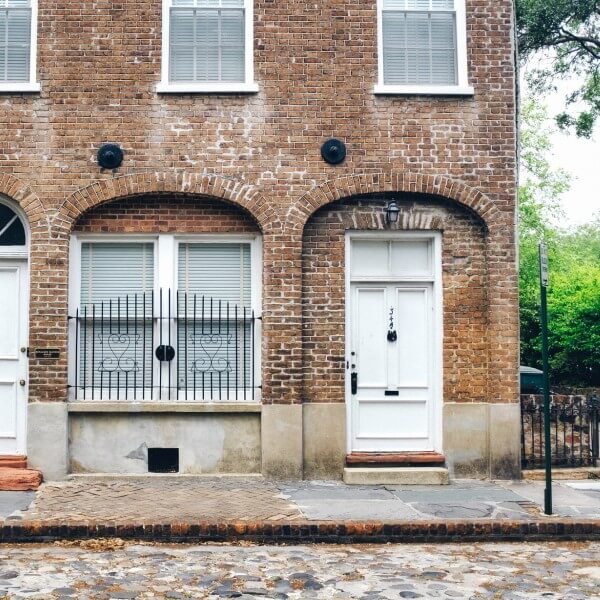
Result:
[[207, 41]]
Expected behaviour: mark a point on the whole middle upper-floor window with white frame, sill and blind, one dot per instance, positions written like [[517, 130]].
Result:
[[207, 46]]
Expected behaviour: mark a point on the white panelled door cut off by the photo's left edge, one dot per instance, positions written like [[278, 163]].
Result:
[[13, 355]]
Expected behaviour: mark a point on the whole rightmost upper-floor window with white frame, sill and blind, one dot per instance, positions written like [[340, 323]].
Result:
[[422, 47]]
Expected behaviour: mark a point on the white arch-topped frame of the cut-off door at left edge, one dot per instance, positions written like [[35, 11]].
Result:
[[19, 256]]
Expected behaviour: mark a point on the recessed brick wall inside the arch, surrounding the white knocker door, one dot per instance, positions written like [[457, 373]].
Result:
[[464, 294]]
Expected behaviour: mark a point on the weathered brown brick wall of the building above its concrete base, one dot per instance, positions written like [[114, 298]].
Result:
[[316, 66]]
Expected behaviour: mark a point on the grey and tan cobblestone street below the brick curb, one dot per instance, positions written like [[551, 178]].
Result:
[[113, 569]]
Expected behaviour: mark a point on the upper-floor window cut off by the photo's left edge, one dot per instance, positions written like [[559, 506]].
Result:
[[18, 20]]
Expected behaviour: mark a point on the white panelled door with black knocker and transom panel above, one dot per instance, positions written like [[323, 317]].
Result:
[[394, 363]]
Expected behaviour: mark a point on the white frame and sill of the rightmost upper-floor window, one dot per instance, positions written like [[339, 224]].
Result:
[[462, 88]]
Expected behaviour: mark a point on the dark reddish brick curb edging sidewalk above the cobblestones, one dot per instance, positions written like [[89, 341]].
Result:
[[293, 532]]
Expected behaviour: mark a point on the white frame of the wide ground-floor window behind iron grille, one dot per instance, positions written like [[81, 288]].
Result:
[[166, 253]]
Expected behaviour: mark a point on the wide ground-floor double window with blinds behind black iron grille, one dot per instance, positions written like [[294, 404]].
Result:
[[165, 318]]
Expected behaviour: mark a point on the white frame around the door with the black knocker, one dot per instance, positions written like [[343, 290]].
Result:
[[435, 238]]
